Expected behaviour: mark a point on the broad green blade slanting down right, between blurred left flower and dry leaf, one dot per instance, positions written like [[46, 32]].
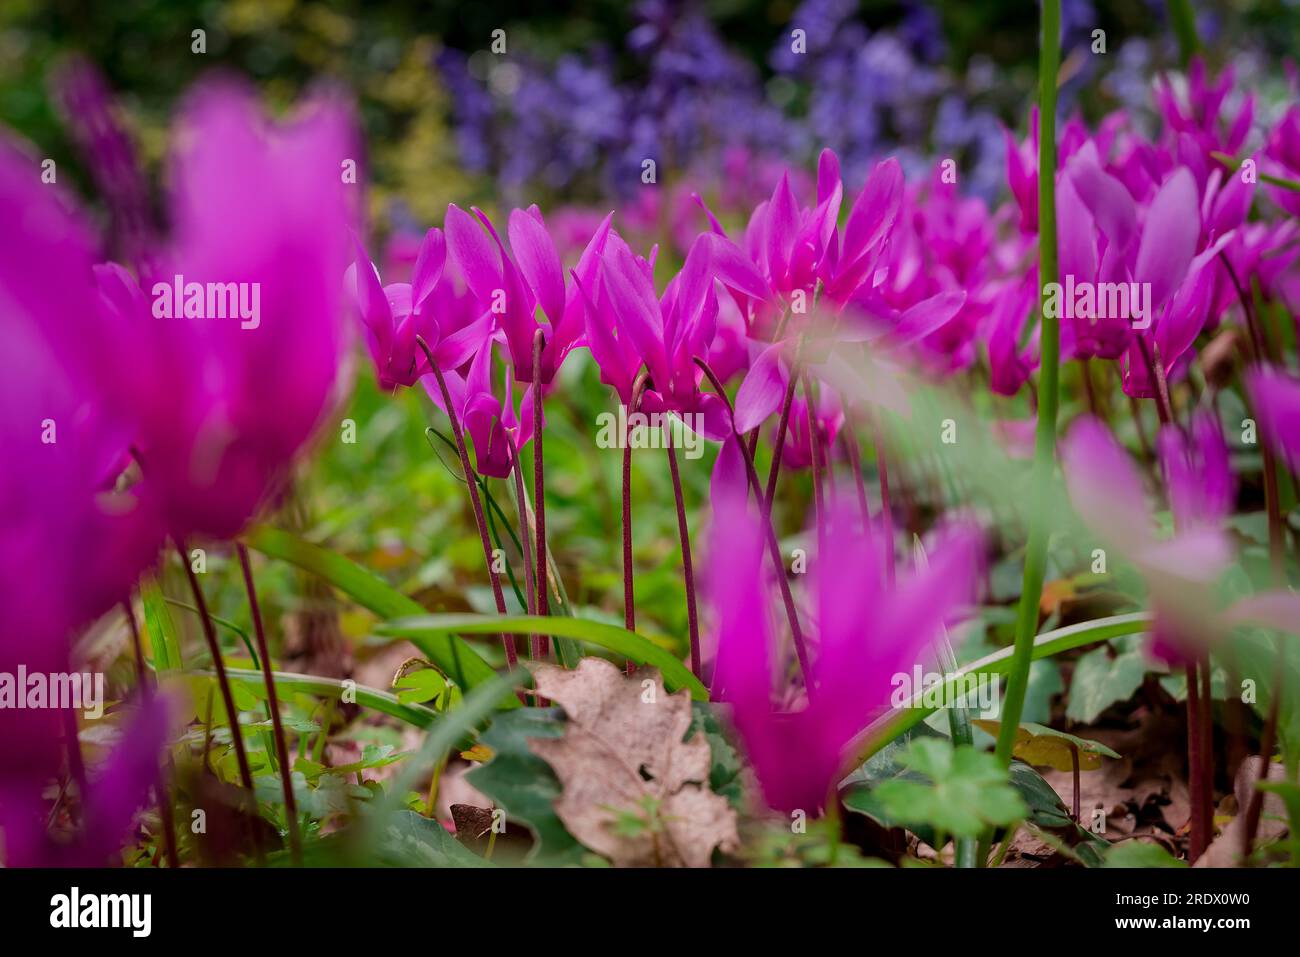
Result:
[[453, 656]]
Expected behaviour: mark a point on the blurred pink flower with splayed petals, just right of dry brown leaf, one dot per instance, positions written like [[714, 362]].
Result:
[[869, 633]]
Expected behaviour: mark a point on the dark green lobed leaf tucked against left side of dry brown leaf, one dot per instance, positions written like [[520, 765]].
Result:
[[526, 786]]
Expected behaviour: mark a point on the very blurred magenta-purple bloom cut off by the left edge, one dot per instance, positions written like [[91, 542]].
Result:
[[75, 542]]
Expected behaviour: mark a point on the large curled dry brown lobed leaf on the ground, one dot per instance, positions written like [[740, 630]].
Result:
[[634, 790]]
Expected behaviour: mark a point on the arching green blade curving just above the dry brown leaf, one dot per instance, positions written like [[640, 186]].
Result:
[[608, 636]]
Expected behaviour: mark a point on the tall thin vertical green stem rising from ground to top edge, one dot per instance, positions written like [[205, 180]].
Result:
[[1045, 445]]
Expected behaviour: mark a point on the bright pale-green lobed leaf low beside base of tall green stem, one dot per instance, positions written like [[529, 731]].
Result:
[[967, 790]]
